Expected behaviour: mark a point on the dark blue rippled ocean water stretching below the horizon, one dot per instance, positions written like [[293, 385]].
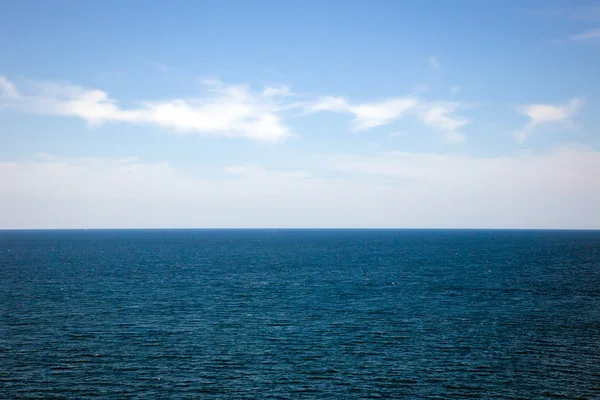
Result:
[[290, 314]]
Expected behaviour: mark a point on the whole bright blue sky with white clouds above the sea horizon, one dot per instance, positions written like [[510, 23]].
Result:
[[300, 114]]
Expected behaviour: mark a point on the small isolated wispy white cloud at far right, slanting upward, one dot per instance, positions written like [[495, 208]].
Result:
[[539, 114]]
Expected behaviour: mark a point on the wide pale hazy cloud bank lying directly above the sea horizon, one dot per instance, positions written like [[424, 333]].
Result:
[[558, 189]]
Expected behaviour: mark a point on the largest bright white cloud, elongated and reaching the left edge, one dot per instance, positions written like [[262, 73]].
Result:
[[225, 110]]
